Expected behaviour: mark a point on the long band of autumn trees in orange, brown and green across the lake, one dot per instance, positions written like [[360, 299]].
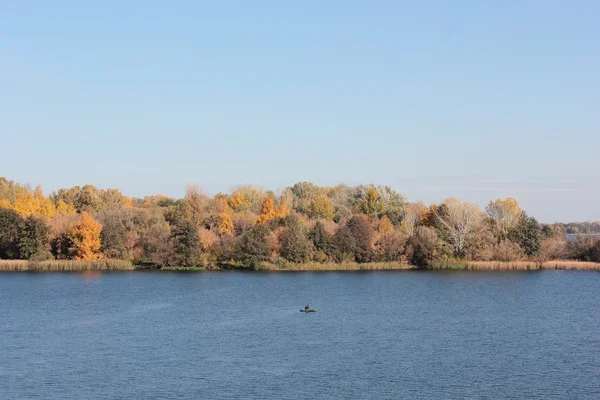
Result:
[[250, 226]]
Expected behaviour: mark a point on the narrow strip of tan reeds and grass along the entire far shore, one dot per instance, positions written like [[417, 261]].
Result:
[[119, 265]]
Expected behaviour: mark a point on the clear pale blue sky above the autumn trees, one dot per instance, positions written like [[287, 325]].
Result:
[[475, 99]]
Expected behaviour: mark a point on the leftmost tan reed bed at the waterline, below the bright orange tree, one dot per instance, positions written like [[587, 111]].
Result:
[[66, 265]]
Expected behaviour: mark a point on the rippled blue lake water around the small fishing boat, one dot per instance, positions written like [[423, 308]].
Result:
[[240, 335]]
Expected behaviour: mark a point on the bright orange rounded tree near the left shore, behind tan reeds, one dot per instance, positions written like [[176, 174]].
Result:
[[84, 237]]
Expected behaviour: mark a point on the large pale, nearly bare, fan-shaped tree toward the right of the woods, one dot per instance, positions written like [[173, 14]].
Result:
[[460, 220]]
